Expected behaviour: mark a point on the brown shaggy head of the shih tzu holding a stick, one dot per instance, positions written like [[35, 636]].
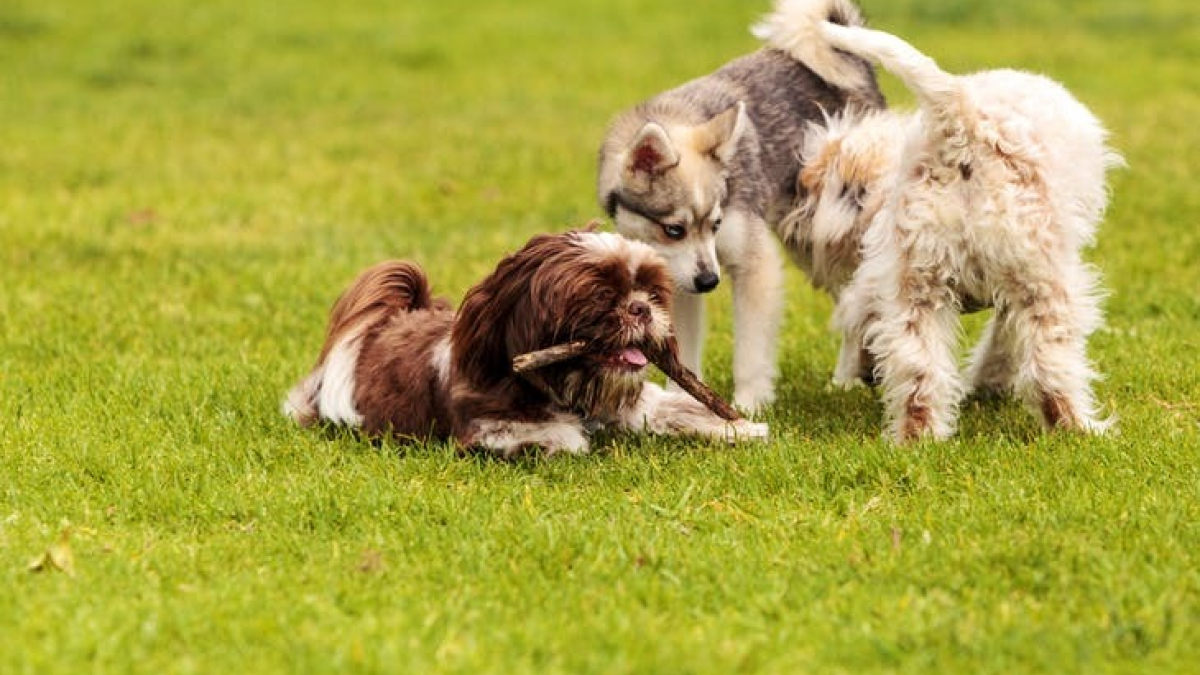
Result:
[[597, 288]]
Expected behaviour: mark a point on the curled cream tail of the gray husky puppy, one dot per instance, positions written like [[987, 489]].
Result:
[[794, 27]]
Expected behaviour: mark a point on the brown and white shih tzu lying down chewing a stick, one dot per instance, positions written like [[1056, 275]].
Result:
[[399, 362]]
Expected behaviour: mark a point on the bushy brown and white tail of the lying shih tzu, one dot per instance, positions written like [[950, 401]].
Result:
[[376, 296]]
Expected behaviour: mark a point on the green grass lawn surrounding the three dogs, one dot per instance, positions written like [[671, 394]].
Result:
[[185, 187]]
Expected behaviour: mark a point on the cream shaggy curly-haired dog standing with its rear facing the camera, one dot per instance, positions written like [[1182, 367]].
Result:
[[986, 196]]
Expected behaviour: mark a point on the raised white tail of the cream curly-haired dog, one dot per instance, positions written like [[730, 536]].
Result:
[[933, 86]]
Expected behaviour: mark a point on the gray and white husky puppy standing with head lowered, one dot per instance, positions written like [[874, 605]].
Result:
[[705, 174]]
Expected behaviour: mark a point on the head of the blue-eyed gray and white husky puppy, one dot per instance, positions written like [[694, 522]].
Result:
[[671, 190]]
